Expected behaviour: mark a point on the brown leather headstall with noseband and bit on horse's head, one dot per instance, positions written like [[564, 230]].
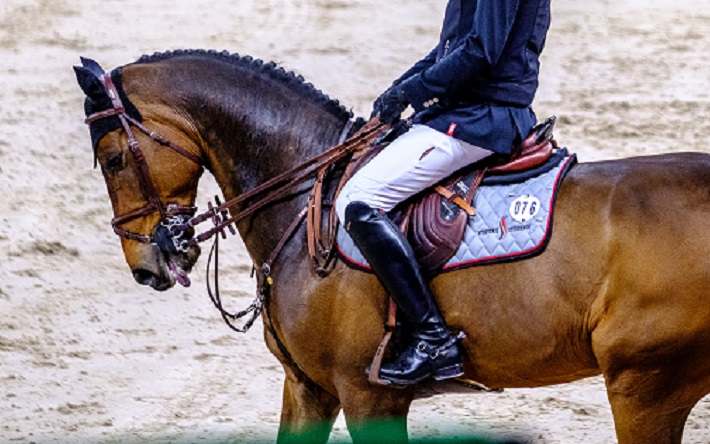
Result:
[[171, 214]]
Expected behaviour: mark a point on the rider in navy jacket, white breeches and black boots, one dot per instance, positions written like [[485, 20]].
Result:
[[472, 97]]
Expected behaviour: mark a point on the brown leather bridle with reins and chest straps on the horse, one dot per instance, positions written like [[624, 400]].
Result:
[[174, 232]]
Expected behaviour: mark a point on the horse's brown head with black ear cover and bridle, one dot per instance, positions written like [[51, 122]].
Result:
[[150, 157]]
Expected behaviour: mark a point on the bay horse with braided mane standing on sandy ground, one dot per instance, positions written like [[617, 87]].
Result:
[[622, 288]]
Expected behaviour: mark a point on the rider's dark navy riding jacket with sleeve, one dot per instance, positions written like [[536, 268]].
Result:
[[483, 74]]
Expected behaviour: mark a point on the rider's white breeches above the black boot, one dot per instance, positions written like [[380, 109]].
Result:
[[418, 159]]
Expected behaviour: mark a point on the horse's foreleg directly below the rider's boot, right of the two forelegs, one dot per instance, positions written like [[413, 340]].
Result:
[[375, 414]]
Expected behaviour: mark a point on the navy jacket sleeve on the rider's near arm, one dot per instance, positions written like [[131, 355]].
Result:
[[479, 53]]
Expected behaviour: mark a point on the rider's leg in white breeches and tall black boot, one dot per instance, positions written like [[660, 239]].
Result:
[[418, 159]]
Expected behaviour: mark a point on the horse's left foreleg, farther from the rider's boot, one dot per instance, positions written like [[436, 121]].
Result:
[[308, 411]]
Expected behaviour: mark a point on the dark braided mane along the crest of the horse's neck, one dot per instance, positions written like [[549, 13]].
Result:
[[267, 69]]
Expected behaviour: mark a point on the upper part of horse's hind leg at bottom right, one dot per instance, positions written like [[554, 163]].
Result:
[[648, 407]]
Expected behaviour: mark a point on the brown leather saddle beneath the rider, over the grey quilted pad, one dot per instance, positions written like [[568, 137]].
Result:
[[433, 237]]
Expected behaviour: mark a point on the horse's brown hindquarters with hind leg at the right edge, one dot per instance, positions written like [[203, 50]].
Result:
[[651, 325]]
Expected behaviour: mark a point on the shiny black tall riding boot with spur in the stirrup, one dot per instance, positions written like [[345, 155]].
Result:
[[434, 351]]
